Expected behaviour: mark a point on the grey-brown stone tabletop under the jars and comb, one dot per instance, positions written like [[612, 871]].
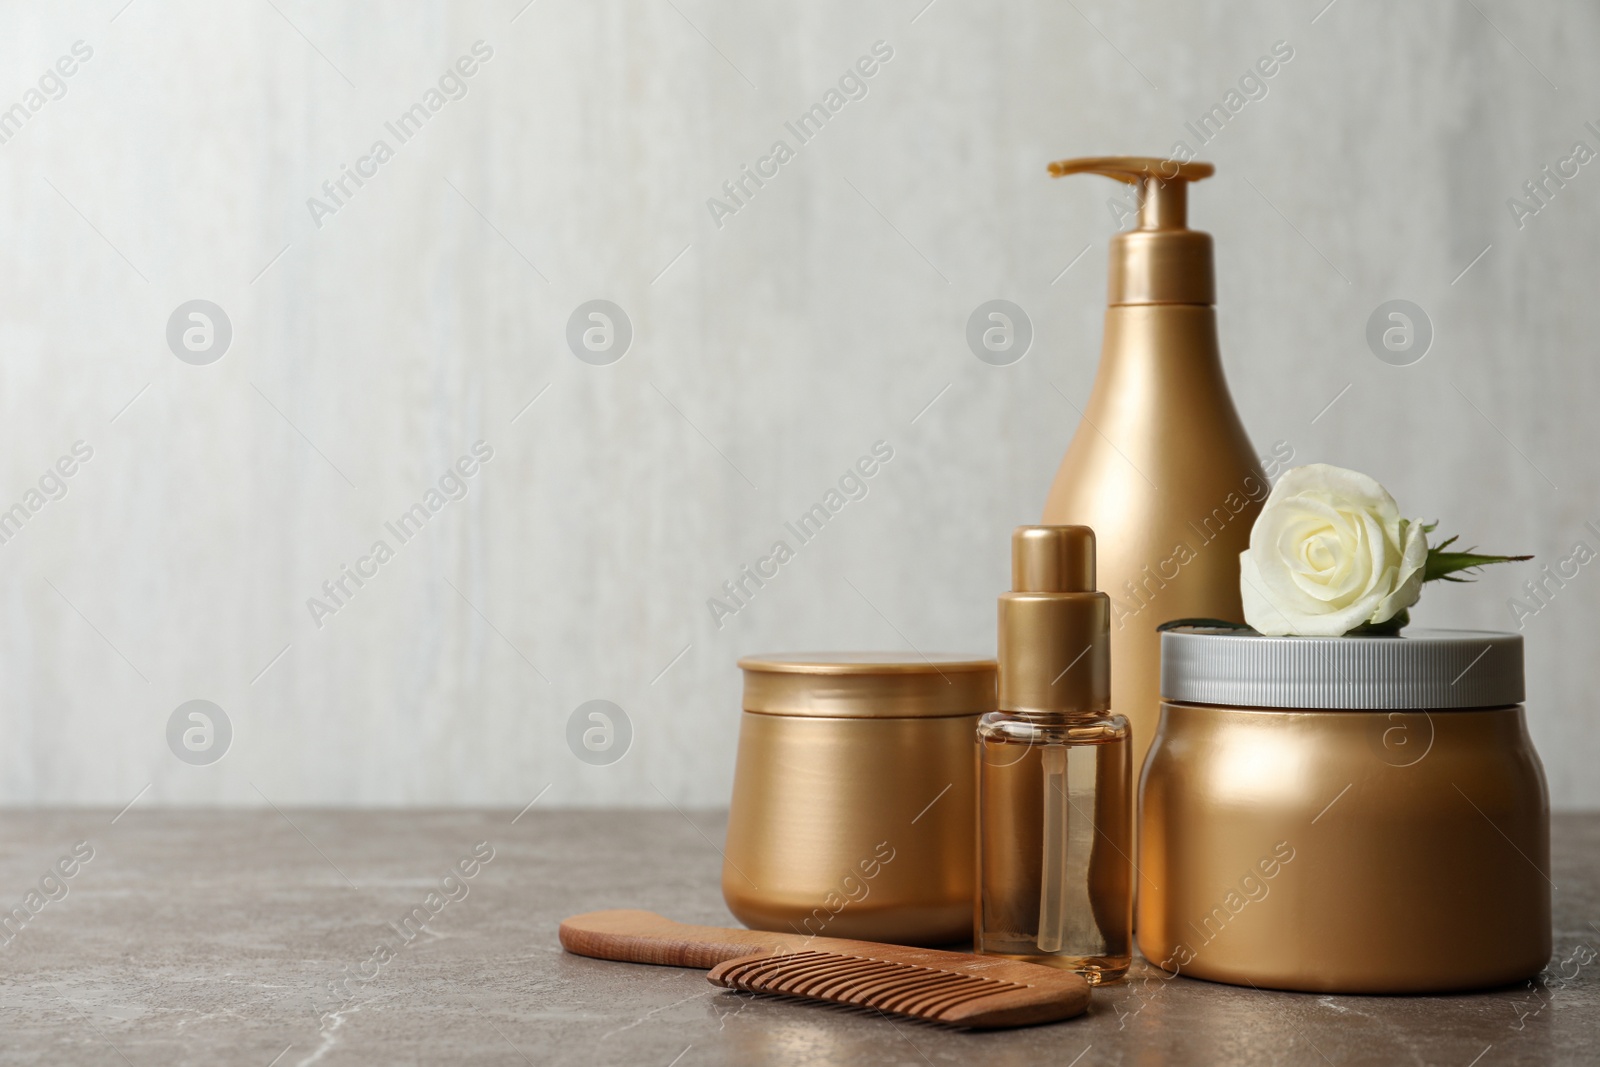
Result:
[[270, 938]]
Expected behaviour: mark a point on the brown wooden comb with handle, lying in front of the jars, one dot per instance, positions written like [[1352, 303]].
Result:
[[953, 988]]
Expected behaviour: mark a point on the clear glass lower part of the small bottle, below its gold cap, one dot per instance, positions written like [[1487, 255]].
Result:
[[1055, 844]]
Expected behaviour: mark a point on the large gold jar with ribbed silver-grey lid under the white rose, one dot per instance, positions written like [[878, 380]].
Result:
[[1358, 815]]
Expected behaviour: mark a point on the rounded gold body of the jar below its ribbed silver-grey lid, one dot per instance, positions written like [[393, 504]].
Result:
[[1311, 852]]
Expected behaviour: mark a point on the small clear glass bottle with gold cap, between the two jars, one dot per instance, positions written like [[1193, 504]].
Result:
[[1055, 772]]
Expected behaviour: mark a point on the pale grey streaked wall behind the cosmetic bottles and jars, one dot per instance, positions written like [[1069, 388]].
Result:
[[769, 354]]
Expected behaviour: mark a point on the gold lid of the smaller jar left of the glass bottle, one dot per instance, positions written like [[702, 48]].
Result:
[[870, 685]]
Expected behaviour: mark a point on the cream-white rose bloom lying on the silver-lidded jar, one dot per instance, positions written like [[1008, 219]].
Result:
[[1329, 554]]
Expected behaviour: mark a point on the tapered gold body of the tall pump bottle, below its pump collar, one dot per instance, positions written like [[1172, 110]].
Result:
[[1164, 471]]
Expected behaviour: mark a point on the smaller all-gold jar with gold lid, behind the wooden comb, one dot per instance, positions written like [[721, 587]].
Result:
[[854, 797]]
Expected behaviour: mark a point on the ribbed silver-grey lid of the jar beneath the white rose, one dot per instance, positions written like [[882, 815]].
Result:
[[1418, 669]]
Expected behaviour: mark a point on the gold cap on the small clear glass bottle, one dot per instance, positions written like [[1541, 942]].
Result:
[[1055, 628]]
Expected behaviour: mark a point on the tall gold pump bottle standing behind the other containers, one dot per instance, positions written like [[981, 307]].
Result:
[[1161, 466]]
